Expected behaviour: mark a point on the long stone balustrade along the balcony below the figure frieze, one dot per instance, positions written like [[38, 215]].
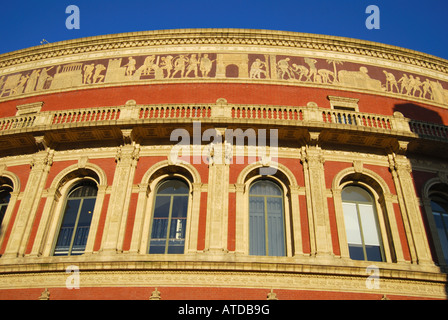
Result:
[[311, 114]]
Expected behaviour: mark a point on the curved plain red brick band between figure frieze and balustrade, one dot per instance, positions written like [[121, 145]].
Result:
[[234, 93]]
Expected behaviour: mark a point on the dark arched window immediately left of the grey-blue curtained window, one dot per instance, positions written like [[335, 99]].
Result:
[[169, 219]]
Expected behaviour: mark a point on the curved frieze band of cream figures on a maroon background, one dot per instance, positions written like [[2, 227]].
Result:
[[306, 70]]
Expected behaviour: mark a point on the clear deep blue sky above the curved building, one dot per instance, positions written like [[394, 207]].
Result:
[[413, 24]]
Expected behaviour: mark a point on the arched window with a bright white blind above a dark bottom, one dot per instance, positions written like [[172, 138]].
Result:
[[361, 225]]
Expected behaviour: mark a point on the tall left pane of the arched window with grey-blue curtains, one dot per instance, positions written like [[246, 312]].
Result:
[[257, 227]]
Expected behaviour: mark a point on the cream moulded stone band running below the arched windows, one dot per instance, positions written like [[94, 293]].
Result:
[[290, 276]]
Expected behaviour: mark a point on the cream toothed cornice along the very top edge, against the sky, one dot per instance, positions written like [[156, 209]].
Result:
[[225, 37]]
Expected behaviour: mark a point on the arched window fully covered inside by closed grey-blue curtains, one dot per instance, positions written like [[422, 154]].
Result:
[[267, 222]]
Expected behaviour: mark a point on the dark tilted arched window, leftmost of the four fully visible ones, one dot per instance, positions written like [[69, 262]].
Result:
[[76, 220]]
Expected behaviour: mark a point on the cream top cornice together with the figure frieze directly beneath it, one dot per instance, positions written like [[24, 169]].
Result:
[[225, 56]]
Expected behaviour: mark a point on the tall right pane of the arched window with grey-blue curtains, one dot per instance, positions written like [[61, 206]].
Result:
[[276, 237]]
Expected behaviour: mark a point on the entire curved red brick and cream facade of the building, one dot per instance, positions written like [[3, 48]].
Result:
[[223, 164]]
